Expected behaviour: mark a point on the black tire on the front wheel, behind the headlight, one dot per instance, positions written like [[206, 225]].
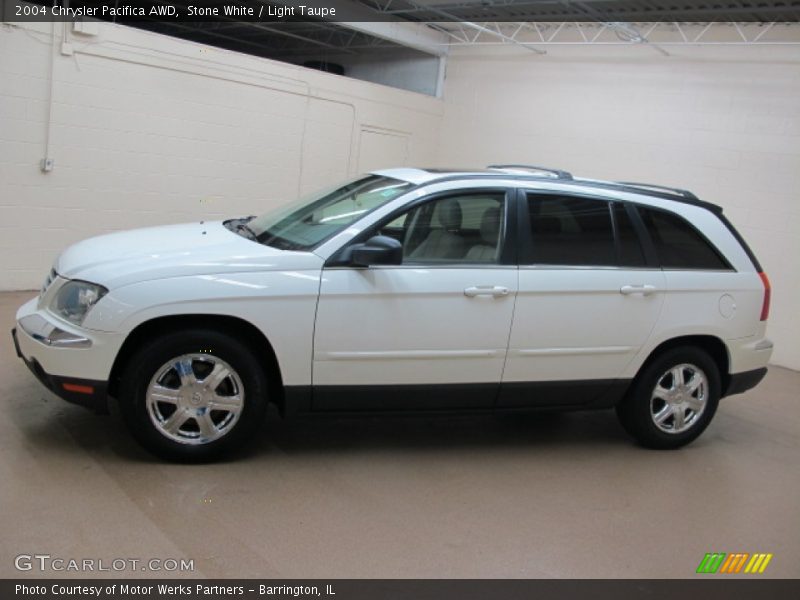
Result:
[[206, 349]]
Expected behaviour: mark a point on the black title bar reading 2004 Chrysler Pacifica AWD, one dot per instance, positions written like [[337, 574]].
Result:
[[276, 11]]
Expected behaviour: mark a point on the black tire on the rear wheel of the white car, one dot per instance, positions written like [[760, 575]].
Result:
[[641, 408]]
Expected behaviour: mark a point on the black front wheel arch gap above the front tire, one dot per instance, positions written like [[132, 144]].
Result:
[[239, 328]]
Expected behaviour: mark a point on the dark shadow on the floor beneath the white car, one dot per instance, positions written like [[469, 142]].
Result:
[[61, 428]]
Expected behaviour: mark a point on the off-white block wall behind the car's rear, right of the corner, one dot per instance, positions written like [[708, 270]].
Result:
[[723, 122]]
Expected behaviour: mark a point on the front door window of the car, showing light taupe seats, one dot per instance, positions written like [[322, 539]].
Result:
[[453, 229]]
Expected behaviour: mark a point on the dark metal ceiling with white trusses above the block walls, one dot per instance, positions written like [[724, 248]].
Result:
[[382, 30]]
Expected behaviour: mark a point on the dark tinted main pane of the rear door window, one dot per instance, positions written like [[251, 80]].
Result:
[[571, 231]]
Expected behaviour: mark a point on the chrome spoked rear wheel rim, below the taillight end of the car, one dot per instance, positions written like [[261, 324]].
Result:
[[679, 398]]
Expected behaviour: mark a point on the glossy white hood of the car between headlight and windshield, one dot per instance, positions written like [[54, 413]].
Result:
[[189, 249]]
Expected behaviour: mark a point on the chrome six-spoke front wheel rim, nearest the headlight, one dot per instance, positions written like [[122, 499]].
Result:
[[195, 398]]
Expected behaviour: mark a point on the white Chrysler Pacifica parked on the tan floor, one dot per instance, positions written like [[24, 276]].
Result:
[[503, 289]]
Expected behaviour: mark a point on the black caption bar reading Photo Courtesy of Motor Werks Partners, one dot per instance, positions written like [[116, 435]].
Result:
[[710, 588]]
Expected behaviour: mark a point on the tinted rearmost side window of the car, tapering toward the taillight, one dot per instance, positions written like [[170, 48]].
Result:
[[678, 244]]
